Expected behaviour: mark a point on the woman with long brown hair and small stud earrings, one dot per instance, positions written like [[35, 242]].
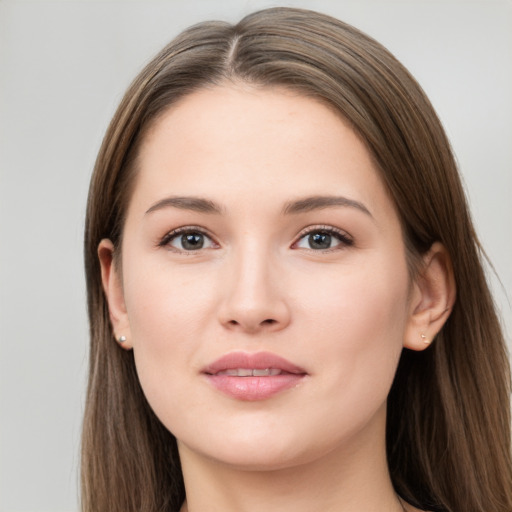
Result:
[[278, 240]]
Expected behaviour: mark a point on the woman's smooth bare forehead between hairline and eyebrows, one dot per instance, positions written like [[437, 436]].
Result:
[[268, 142]]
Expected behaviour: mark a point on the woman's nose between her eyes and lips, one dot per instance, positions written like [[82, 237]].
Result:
[[254, 300]]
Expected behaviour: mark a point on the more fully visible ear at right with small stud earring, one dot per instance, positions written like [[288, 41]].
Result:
[[432, 298]]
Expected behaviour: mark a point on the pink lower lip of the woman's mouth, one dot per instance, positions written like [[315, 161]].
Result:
[[254, 388]]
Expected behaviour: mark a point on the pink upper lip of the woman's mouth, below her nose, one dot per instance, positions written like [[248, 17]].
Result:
[[256, 361]]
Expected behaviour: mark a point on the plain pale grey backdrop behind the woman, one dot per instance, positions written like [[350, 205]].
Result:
[[63, 68]]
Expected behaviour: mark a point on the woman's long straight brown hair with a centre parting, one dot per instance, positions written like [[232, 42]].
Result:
[[448, 427]]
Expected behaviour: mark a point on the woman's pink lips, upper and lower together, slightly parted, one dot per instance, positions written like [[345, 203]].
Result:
[[250, 377]]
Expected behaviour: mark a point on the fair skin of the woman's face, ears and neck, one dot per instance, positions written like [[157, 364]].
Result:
[[343, 313]]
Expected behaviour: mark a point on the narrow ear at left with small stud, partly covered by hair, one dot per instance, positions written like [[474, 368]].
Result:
[[113, 288]]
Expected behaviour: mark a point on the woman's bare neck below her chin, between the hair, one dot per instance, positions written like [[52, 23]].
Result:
[[348, 479]]
